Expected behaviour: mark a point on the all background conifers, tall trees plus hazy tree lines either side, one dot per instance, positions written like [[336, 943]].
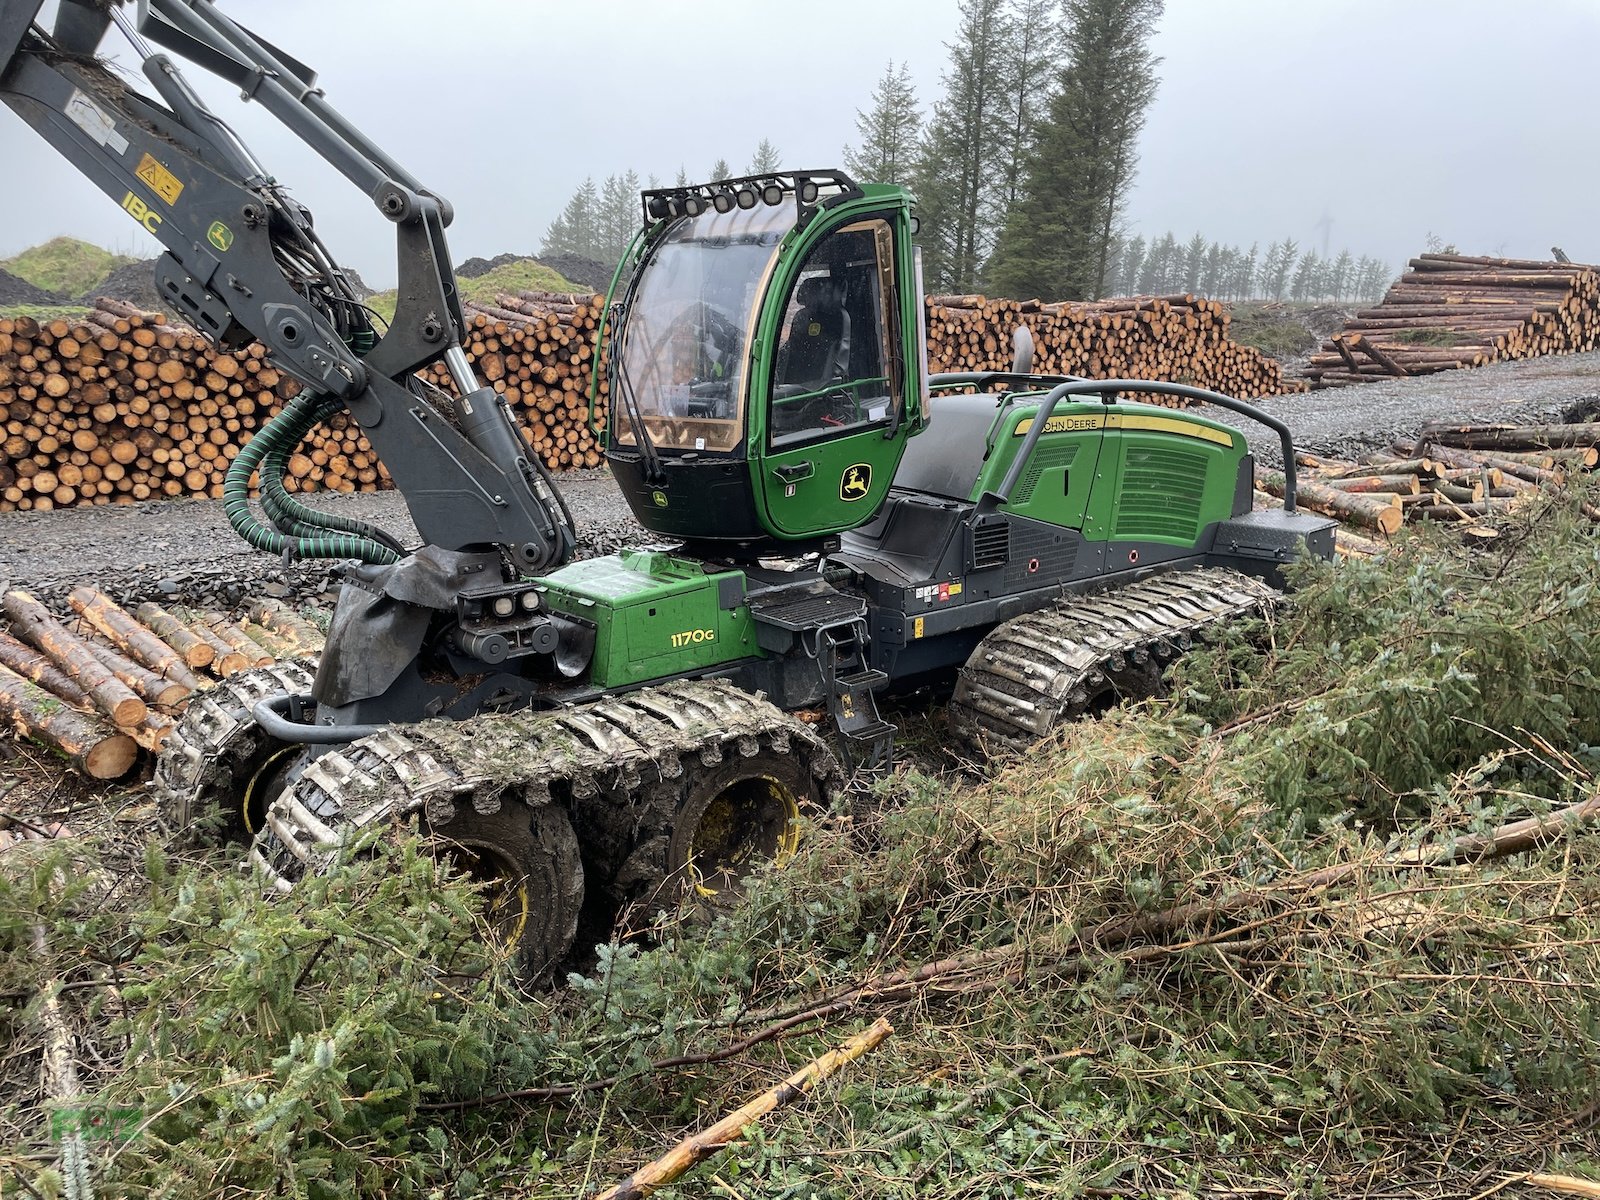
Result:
[[1022, 170]]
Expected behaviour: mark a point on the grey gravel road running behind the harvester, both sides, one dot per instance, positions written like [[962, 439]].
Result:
[[186, 551]]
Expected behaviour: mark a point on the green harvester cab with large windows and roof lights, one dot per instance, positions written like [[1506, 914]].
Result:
[[767, 367]]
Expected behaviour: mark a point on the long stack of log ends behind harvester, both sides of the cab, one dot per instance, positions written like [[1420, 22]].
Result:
[[124, 407]]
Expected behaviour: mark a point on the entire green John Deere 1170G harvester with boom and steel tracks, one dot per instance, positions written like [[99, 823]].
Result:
[[836, 522]]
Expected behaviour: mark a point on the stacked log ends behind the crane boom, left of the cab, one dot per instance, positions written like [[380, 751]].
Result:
[[124, 407]]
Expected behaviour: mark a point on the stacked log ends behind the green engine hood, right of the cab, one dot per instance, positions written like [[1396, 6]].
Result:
[[1177, 338]]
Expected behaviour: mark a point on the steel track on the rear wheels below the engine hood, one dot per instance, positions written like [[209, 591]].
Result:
[[1057, 665]]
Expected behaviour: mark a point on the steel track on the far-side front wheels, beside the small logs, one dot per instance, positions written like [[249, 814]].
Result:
[[207, 758]]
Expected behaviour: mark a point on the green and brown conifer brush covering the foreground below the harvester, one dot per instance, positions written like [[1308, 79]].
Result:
[[1324, 921]]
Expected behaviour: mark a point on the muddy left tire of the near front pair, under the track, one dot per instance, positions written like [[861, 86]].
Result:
[[537, 878]]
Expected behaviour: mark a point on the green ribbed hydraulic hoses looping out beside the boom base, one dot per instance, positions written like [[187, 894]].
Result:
[[266, 452]]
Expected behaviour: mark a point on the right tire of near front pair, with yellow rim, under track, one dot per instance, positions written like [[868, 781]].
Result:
[[735, 817]]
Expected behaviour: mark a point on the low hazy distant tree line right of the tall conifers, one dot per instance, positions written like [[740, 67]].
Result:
[[1204, 268]]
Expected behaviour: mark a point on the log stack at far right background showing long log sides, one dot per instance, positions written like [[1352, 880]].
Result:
[[1452, 311]]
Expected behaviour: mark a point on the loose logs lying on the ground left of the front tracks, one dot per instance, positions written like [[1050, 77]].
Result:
[[106, 682]]
